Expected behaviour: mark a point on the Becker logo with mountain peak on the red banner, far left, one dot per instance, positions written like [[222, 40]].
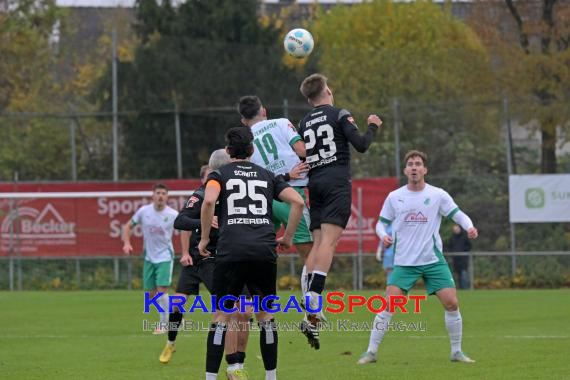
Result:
[[30, 223]]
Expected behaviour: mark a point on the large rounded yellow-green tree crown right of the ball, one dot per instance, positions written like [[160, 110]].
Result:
[[420, 55]]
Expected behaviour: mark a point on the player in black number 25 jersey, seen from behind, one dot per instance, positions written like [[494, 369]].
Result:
[[247, 244]]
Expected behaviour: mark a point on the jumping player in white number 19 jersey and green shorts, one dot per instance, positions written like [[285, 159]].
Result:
[[278, 148]]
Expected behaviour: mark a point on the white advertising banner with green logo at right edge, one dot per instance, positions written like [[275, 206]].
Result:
[[539, 198]]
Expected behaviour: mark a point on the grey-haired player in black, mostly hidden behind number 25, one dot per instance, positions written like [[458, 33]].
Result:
[[198, 269]]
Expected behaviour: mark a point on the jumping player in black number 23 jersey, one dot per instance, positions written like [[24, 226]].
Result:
[[327, 132]]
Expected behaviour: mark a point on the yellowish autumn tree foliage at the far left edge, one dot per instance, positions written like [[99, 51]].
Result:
[[30, 146]]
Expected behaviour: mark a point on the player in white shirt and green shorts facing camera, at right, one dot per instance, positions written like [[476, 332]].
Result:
[[415, 213]]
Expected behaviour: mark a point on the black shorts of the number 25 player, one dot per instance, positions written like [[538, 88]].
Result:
[[259, 277]]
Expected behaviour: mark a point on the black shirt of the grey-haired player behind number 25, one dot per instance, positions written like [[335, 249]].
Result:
[[189, 220]]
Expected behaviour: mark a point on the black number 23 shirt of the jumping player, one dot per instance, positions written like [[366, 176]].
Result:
[[327, 130]]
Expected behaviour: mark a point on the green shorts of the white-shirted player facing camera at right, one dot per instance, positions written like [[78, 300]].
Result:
[[436, 276]]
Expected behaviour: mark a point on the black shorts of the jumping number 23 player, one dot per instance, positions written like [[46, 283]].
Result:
[[330, 203]]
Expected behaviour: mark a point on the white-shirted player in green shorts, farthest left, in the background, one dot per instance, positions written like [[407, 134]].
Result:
[[157, 222]]
